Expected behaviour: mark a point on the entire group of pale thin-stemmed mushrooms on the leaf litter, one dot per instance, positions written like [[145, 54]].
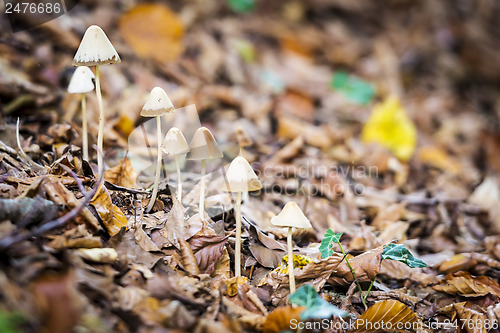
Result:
[[95, 49]]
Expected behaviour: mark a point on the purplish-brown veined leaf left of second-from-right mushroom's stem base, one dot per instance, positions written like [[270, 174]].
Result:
[[207, 251]]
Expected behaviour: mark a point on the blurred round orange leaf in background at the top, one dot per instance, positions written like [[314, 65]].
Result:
[[153, 31]]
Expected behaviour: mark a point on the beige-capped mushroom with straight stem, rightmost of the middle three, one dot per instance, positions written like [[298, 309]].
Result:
[[203, 147]]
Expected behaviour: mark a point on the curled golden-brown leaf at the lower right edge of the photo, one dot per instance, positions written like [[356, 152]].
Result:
[[464, 284]]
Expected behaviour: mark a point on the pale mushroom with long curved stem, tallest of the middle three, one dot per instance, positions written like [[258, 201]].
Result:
[[157, 105]]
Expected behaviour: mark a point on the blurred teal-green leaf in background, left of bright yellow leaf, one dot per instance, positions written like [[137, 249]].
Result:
[[356, 90]]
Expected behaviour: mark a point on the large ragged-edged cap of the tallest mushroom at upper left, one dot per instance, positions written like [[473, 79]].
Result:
[[95, 49]]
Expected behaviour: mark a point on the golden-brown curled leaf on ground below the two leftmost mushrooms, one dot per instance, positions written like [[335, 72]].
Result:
[[112, 217]]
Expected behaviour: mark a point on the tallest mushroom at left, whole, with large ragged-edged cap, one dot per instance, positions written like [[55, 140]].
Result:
[[95, 49]]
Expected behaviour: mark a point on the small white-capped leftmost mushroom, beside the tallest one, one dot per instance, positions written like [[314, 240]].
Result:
[[81, 83]]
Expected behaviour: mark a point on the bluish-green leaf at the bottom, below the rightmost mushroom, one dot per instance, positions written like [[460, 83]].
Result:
[[316, 306]]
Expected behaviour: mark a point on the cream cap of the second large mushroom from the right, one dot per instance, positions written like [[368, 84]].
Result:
[[241, 177]]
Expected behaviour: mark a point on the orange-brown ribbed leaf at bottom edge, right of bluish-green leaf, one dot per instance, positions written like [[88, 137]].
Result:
[[387, 315]]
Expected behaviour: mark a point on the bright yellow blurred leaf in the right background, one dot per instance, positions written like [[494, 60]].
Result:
[[390, 126]]
